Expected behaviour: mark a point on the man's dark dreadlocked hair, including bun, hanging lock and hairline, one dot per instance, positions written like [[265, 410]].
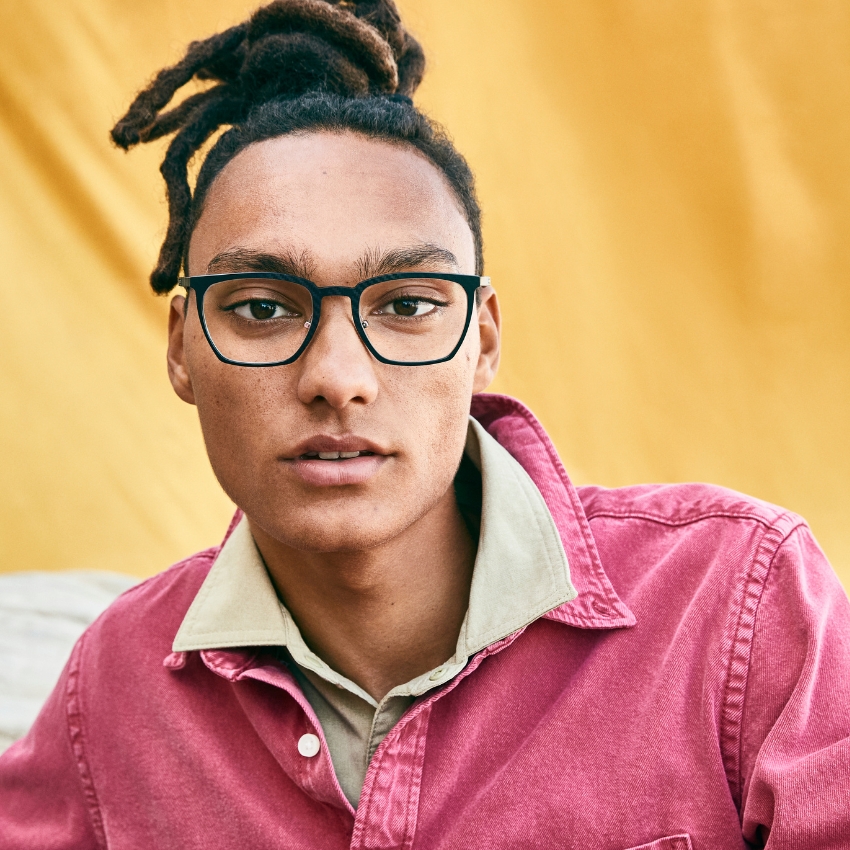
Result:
[[293, 66]]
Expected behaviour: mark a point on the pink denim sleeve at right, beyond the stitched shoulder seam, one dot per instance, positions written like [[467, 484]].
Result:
[[794, 776]]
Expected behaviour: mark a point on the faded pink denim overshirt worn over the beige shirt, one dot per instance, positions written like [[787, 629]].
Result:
[[696, 694]]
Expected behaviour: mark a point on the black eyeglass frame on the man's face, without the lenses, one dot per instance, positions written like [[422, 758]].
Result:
[[201, 283]]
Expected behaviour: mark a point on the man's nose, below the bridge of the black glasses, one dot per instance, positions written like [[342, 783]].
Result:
[[336, 367]]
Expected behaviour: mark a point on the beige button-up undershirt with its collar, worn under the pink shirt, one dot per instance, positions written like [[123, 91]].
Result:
[[520, 573]]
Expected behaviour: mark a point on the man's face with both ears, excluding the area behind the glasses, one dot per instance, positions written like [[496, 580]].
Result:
[[330, 207]]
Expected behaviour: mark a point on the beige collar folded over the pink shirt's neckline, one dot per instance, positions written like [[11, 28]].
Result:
[[520, 573]]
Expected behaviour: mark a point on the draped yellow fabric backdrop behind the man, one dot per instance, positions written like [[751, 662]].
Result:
[[667, 203]]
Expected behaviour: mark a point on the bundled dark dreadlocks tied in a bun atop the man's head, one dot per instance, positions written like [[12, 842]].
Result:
[[286, 49]]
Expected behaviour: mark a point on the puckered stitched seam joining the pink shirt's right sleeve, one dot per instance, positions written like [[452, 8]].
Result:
[[747, 598]]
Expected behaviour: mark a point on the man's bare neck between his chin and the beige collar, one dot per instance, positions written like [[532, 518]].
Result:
[[382, 616]]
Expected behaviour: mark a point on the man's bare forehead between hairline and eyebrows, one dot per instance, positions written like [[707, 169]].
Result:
[[332, 196]]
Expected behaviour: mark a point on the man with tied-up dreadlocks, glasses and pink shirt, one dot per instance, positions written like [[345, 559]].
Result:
[[417, 632]]
